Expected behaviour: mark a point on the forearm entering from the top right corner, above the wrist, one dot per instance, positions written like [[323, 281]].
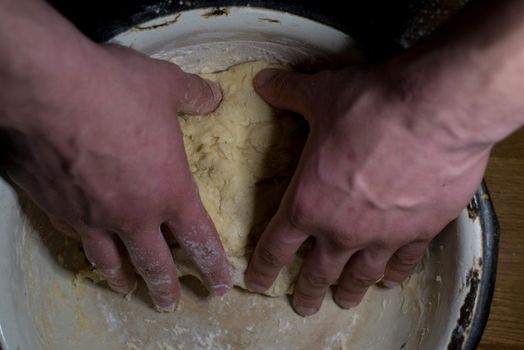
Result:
[[470, 74]]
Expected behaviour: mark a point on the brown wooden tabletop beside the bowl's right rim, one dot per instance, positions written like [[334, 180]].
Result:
[[505, 180]]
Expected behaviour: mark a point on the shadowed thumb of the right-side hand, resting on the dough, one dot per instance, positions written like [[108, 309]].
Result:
[[285, 90]]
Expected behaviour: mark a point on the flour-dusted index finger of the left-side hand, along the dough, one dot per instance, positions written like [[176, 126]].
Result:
[[197, 235]]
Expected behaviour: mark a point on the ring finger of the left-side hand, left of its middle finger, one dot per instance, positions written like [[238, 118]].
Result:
[[107, 254]]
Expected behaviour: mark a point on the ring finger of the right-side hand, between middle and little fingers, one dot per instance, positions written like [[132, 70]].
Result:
[[364, 269]]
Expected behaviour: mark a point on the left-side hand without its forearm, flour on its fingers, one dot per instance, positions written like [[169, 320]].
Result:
[[100, 150]]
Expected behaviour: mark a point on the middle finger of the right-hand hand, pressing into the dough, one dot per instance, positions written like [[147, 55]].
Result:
[[320, 270]]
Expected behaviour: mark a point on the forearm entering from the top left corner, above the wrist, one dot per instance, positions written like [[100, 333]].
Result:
[[39, 50]]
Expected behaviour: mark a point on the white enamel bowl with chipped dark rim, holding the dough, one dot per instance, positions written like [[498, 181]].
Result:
[[444, 305]]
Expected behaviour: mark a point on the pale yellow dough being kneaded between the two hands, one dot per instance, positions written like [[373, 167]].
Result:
[[242, 157]]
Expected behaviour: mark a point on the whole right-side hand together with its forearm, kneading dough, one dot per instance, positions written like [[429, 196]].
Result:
[[395, 151]]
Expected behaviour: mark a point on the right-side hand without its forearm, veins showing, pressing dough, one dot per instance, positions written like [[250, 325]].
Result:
[[377, 180]]
